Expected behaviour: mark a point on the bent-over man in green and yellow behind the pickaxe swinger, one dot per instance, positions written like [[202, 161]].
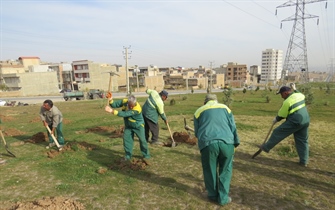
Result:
[[152, 108]]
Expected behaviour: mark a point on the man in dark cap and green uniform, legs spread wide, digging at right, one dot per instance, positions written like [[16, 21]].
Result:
[[297, 122]]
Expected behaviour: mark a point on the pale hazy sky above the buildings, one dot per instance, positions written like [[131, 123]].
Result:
[[164, 33]]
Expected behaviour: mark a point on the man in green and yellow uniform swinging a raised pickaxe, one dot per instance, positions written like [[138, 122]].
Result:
[[134, 124]]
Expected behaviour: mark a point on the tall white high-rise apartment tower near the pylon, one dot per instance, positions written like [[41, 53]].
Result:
[[272, 61]]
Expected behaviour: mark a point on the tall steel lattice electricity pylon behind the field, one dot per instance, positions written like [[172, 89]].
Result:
[[296, 54]]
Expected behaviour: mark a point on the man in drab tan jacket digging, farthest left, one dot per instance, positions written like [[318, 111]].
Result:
[[52, 117]]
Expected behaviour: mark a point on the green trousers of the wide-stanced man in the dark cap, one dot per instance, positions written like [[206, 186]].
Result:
[[300, 134]]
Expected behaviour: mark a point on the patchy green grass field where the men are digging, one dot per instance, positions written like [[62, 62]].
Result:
[[174, 179]]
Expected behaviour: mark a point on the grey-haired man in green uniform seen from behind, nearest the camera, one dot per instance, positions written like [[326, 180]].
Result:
[[215, 129]]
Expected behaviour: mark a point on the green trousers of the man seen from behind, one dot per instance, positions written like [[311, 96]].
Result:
[[217, 166]]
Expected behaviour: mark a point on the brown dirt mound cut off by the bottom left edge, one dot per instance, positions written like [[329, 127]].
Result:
[[49, 203]]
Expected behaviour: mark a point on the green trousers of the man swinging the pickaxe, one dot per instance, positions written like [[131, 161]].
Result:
[[128, 142]]
